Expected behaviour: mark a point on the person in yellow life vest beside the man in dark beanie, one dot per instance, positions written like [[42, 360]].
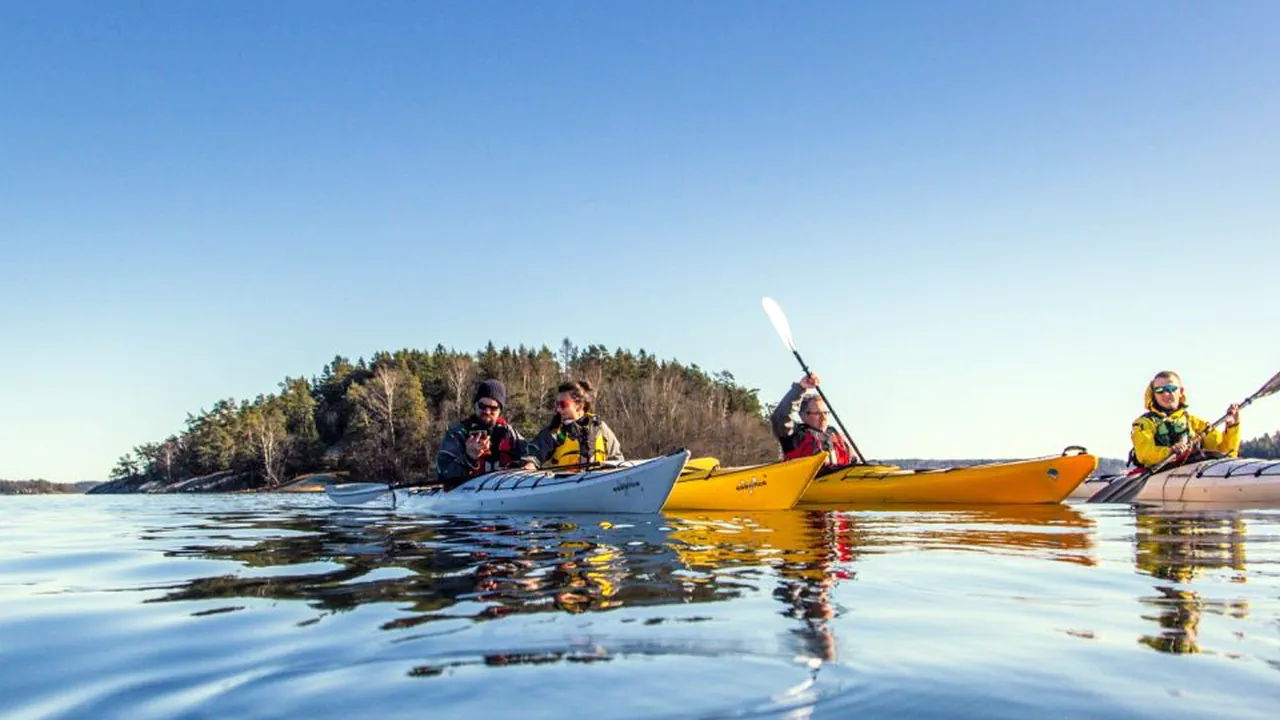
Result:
[[575, 436]]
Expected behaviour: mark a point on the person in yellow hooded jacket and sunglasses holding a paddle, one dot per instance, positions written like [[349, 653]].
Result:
[[1167, 429]]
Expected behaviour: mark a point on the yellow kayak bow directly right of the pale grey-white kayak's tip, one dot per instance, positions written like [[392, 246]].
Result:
[[778, 486]]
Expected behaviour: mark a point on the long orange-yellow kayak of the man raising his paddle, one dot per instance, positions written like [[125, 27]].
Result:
[[1043, 480]]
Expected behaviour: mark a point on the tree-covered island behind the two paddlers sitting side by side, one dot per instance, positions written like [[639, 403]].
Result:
[[383, 420]]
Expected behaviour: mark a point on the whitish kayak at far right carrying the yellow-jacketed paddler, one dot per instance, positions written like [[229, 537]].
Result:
[[1227, 480]]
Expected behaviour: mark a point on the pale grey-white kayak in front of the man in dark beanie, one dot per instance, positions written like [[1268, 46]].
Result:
[[637, 487]]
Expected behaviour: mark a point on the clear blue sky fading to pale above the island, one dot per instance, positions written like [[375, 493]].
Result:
[[989, 222]]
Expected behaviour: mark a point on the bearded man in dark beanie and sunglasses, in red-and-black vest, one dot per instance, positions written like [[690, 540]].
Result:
[[482, 443]]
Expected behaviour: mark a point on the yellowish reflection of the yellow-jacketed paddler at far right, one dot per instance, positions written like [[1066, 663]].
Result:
[[1180, 545]]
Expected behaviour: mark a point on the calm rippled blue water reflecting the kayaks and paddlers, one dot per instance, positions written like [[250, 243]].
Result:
[[287, 607]]
